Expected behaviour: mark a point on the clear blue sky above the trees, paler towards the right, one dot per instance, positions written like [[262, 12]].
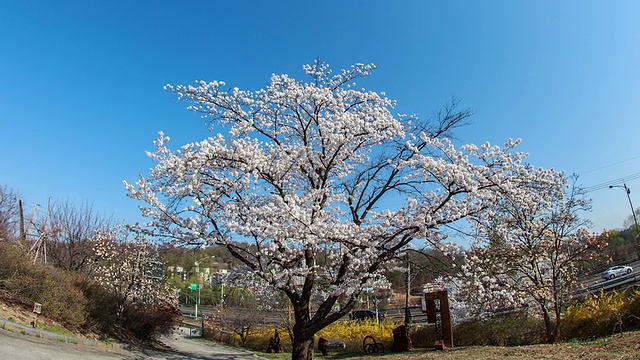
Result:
[[82, 99]]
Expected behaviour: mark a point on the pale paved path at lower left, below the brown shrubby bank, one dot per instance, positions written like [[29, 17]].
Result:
[[18, 346]]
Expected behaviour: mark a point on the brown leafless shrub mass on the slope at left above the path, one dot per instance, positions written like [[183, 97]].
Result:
[[77, 302]]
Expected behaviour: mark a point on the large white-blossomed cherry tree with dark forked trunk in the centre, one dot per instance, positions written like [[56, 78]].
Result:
[[302, 170]]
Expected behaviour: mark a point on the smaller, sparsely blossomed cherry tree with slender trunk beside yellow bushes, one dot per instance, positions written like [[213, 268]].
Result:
[[528, 252]]
